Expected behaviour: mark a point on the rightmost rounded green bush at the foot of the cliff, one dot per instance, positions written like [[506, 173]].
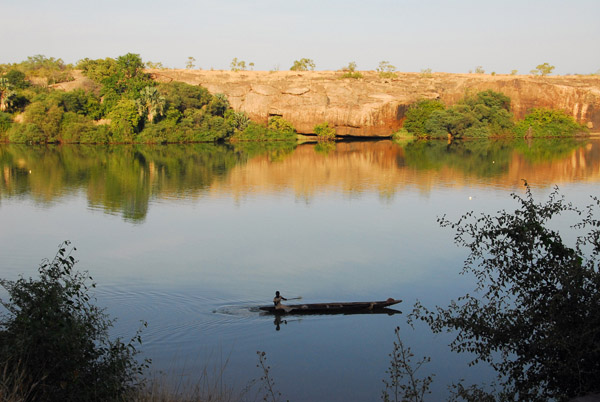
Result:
[[548, 123]]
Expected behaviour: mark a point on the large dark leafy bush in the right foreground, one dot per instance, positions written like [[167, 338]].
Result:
[[535, 315]]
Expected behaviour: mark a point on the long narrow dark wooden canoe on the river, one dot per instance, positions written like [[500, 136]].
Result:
[[333, 308]]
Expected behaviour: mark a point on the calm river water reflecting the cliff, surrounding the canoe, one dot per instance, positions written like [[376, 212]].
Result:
[[192, 238]]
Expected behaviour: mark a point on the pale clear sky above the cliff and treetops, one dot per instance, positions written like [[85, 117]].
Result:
[[453, 36]]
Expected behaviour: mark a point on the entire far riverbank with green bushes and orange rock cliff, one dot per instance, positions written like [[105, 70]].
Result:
[[109, 101]]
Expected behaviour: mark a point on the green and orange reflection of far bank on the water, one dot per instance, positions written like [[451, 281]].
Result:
[[123, 179]]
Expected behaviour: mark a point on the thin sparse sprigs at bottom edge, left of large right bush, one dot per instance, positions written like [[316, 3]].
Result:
[[403, 383]]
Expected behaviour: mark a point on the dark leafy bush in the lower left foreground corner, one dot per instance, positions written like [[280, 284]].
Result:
[[59, 338]]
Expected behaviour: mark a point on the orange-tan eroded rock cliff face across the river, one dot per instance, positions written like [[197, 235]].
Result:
[[373, 106]]
